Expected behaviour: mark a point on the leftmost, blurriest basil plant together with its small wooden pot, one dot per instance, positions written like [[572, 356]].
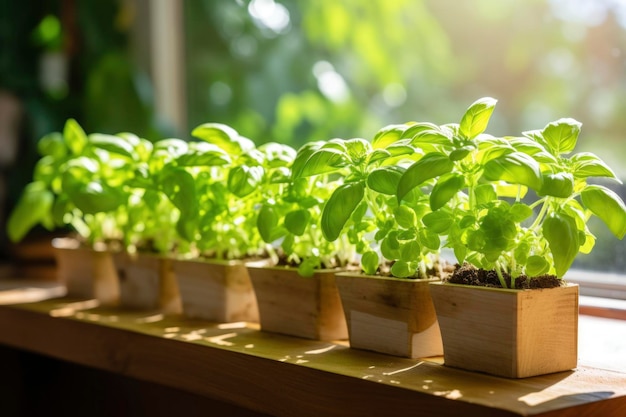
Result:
[[75, 184]]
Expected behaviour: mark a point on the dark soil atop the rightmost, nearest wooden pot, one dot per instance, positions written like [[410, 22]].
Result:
[[470, 275]]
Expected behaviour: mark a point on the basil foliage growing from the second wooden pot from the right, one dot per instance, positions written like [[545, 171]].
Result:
[[387, 232]]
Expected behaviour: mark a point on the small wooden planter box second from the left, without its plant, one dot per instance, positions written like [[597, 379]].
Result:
[[147, 282]]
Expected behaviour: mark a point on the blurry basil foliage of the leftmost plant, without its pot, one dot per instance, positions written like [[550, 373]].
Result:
[[77, 183]]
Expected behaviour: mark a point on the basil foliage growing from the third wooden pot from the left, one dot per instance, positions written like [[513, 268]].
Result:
[[217, 185]]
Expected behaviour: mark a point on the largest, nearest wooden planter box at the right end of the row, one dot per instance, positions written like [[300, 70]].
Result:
[[510, 333]]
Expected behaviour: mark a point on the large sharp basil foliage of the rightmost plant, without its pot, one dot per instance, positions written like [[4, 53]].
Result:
[[516, 205]]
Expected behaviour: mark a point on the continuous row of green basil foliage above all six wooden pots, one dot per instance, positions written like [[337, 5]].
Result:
[[515, 204]]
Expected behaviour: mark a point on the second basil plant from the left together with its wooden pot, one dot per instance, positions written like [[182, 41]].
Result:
[[154, 228]]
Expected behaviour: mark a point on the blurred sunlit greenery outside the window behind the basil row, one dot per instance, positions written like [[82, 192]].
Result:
[[264, 65]]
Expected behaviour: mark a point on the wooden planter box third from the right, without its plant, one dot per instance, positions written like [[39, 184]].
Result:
[[307, 307]]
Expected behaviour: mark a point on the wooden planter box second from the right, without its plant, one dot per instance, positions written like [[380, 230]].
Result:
[[390, 315]]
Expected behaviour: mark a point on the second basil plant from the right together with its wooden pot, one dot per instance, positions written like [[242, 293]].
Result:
[[387, 306]]
